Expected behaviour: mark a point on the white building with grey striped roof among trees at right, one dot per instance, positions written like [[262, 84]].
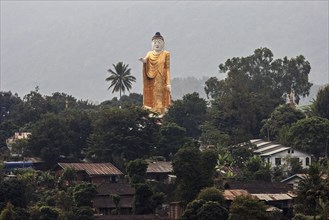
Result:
[[277, 154]]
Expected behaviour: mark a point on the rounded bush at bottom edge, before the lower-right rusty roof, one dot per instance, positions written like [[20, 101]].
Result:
[[245, 207]]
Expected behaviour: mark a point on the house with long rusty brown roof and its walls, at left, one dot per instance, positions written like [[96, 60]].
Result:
[[96, 173]]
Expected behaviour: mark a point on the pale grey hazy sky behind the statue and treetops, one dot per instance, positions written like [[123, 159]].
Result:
[[68, 46]]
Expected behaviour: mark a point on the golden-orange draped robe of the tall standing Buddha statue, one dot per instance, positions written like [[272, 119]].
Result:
[[156, 76]]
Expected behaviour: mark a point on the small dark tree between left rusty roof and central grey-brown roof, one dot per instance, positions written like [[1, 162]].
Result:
[[136, 171]]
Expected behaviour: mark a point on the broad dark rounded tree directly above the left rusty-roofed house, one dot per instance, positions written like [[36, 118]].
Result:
[[56, 135]]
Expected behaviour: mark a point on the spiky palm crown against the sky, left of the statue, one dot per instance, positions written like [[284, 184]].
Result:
[[121, 78]]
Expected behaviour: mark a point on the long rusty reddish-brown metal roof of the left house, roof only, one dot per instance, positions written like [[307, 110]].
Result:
[[93, 168]]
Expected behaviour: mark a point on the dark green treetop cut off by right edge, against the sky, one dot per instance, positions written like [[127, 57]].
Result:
[[321, 103]]
